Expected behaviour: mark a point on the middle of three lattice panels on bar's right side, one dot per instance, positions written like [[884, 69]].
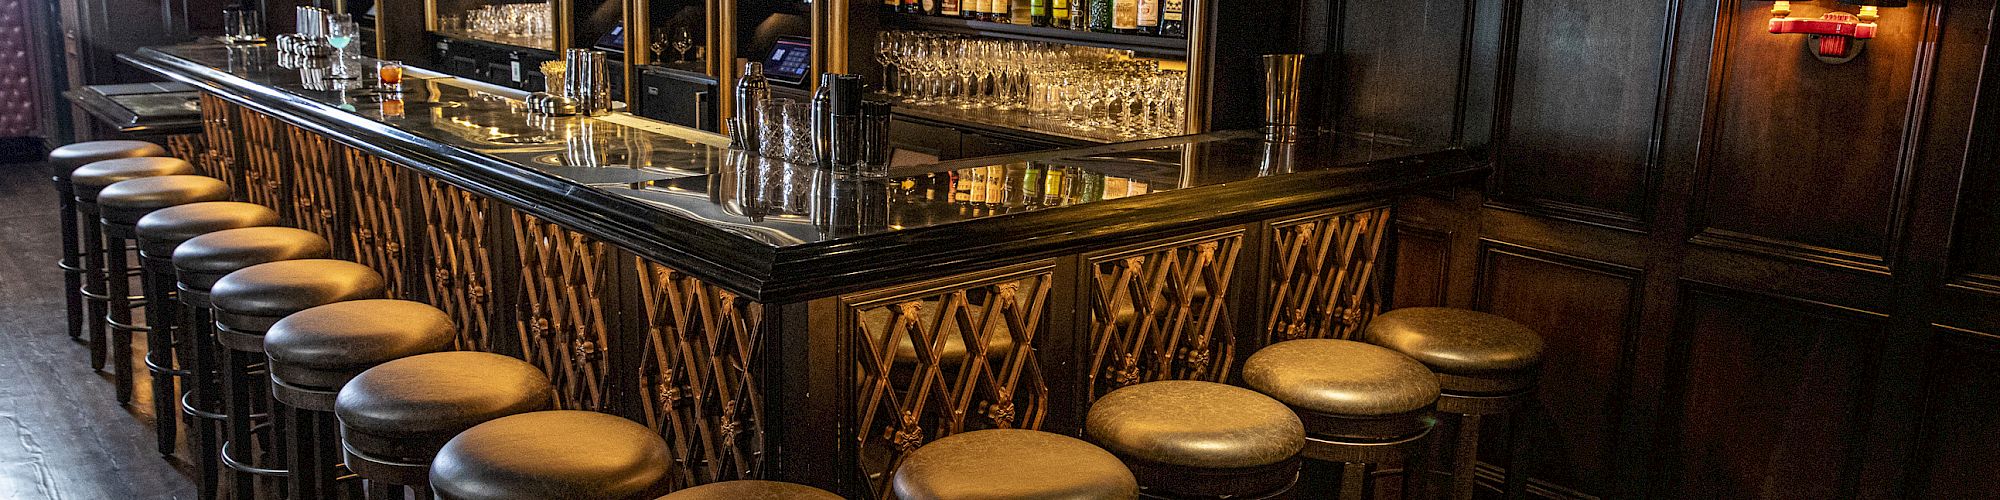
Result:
[[1159, 313]]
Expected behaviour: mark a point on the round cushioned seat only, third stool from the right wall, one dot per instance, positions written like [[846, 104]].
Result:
[[1199, 425]]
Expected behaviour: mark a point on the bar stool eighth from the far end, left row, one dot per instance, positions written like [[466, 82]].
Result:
[[397, 415]]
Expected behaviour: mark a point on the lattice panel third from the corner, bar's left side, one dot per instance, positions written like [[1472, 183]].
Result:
[[461, 271]]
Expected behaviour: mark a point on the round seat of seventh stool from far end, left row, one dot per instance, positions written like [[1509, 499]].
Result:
[[327, 345]]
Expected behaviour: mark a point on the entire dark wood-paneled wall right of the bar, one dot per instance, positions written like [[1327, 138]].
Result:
[[1759, 275]]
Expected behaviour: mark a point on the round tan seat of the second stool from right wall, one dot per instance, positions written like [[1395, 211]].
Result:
[[1341, 377]]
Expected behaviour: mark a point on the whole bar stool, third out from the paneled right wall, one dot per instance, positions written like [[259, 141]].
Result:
[[1187, 439]]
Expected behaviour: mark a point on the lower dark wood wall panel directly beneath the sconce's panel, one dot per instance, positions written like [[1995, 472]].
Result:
[[1765, 397]]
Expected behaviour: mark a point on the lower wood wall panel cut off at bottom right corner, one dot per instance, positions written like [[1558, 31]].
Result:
[[1959, 449]]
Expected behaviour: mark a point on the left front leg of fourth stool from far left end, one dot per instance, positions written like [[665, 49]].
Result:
[[161, 319]]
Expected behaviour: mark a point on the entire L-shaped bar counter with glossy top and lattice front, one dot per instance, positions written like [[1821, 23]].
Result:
[[783, 323]]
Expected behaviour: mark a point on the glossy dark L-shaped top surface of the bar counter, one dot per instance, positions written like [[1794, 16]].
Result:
[[781, 233]]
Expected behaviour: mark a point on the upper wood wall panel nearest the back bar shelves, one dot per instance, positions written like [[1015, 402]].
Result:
[[1403, 61]]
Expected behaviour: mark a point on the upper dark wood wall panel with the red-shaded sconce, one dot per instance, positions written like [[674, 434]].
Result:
[[1809, 157]]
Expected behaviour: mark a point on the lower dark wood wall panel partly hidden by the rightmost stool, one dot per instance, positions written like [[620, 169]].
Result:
[[1585, 313]]
